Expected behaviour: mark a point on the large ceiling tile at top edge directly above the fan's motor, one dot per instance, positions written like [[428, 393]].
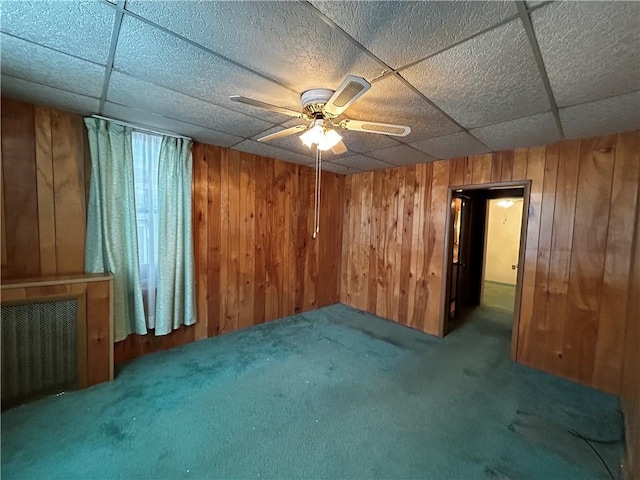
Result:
[[287, 41]]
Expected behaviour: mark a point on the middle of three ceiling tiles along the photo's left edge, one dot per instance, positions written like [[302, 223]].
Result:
[[34, 63]]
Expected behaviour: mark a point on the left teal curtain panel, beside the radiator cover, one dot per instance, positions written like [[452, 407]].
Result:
[[111, 244]]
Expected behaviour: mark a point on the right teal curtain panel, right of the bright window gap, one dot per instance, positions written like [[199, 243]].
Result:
[[175, 301]]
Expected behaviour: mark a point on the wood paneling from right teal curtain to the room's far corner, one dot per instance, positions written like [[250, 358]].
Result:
[[255, 258]]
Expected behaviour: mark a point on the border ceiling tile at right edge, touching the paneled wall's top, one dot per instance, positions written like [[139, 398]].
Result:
[[611, 115]]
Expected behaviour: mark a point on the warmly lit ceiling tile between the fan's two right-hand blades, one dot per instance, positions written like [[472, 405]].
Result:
[[391, 100]]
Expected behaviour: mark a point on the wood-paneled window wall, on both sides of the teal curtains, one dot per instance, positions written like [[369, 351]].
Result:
[[253, 216]]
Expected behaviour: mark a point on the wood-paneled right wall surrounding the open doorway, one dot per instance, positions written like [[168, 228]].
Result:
[[583, 203]]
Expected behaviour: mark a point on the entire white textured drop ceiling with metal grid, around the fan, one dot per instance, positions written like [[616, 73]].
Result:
[[468, 77]]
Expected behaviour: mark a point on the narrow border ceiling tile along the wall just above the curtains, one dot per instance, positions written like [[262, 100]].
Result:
[[153, 121]]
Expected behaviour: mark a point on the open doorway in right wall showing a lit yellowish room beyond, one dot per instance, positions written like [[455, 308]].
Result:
[[486, 232]]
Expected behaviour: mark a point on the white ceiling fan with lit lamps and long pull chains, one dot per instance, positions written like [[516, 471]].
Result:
[[321, 111]]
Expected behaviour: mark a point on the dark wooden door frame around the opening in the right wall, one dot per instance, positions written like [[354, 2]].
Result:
[[526, 194]]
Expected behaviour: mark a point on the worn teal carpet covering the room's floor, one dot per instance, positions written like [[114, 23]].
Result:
[[334, 393]]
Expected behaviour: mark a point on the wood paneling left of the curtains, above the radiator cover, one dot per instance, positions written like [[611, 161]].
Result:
[[44, 191]]
